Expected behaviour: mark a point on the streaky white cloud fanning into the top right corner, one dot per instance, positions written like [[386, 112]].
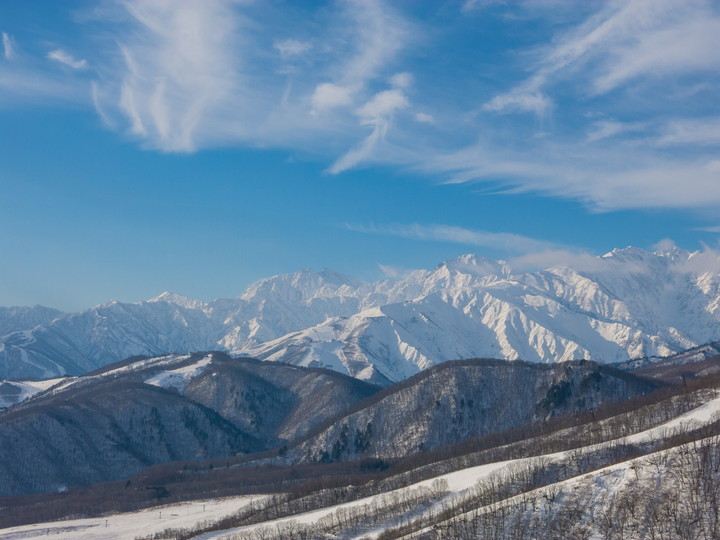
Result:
[[622, 42]]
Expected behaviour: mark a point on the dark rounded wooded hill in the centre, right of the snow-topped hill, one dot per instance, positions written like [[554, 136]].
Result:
[[468, 398]]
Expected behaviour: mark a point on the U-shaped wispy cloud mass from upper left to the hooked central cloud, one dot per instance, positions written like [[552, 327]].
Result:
[[191, 77]]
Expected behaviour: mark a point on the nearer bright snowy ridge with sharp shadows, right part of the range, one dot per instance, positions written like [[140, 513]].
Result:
[[627, 304]]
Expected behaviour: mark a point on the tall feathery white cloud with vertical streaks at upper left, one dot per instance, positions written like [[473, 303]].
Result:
[[178, 75]]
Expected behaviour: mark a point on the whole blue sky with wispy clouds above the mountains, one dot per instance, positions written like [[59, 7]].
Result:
[[198, 146]]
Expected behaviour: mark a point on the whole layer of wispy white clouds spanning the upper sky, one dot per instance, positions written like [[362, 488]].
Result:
[[342, 85]]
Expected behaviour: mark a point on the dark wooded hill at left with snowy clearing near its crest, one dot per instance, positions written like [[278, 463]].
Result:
[[112, 423]]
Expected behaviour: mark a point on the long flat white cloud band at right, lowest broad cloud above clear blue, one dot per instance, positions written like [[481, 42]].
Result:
[[606, 179]]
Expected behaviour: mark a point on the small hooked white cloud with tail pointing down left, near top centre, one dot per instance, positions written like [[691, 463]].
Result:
[[376, 113]]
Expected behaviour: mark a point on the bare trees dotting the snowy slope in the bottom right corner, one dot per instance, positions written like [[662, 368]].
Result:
[[670, 495]]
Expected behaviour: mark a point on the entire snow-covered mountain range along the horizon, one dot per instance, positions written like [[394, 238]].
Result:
[[629, 303]]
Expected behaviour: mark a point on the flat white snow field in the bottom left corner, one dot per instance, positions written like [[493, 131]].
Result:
[[133, 524]]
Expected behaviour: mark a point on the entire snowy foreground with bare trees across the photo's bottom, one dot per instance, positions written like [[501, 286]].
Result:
[[627, 481]]
